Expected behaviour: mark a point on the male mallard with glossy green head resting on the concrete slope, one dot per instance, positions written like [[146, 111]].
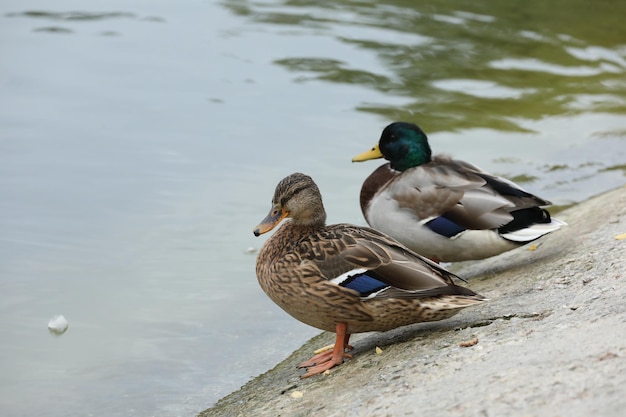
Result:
[[446, 209]]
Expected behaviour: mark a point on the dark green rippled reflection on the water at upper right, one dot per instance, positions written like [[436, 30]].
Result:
[[465, 64]]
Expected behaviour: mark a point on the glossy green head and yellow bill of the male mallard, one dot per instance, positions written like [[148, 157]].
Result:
[[403, 144]]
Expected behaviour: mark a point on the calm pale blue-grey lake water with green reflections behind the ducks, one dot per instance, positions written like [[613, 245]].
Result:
[[140, 143]]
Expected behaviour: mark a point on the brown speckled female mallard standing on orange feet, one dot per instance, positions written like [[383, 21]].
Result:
[[343, 278]]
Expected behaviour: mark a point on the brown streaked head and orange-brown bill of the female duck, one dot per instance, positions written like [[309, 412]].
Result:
[[298, 198]]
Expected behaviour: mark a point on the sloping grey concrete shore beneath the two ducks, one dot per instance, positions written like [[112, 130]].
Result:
[[550, 342]]
